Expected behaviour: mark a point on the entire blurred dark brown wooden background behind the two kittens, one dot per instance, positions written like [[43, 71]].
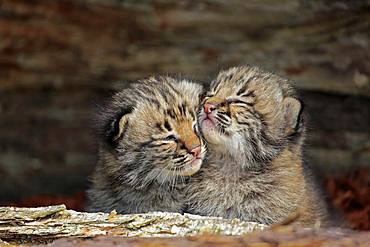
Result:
[[59, 59]]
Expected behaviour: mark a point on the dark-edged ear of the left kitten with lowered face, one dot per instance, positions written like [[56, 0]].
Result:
[[117, 126]]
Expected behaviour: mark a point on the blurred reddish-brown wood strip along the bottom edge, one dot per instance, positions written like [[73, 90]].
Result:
[[279, 237]]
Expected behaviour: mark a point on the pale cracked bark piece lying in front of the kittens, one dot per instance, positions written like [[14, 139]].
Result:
[[32, 225]]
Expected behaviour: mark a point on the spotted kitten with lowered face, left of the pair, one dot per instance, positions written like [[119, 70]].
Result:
[[148, 146]]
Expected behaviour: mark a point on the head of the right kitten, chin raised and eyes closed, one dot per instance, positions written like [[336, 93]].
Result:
[[250, 115]]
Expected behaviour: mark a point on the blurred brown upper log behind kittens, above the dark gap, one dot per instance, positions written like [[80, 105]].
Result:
[[321, 45]]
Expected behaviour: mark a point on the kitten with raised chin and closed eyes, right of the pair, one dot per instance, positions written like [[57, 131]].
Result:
[[252, 123]]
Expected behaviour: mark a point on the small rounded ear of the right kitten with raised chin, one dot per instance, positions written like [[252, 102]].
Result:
[[292, 110]]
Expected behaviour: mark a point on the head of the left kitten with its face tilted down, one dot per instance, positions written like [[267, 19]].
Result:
[[151, 129]]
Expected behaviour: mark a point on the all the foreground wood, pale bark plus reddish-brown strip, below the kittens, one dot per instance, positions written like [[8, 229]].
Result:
[[31, 226]]
